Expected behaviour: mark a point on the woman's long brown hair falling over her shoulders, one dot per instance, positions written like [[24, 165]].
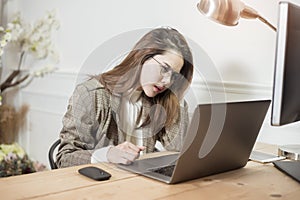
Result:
[[124, 78]]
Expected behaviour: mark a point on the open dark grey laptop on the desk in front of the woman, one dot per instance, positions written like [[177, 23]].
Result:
[[220, 138]]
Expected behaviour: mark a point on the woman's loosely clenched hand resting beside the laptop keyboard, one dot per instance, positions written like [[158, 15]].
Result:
[[124, 153]]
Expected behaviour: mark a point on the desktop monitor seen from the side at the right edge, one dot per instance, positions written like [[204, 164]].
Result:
[[286, 88]]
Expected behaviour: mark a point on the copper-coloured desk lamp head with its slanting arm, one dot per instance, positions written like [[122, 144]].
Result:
[[228, 12]]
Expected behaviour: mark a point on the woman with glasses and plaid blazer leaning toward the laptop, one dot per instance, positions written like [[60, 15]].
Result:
[[135, 107]]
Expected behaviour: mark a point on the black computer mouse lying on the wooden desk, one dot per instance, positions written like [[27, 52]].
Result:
[[95, 173]]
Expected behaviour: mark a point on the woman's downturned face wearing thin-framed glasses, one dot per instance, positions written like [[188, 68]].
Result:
[[159, 71]]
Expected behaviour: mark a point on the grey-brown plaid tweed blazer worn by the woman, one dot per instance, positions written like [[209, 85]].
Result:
[[91, 122]]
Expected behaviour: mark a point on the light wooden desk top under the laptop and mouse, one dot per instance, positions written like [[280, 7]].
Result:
[[254, 181]]
